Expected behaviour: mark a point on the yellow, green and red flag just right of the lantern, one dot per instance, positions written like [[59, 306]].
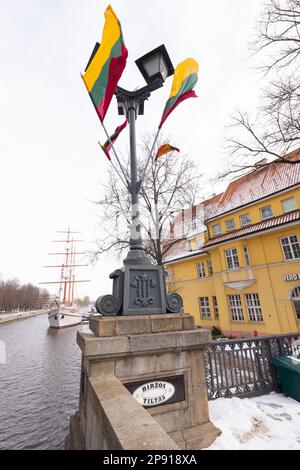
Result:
[[185, 78]]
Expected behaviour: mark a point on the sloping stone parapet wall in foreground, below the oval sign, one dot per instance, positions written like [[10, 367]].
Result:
[[114, 420]]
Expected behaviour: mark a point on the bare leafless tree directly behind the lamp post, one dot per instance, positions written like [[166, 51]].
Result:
[[171, 183]]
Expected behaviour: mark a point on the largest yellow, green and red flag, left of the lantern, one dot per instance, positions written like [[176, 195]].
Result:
[[106, 64]]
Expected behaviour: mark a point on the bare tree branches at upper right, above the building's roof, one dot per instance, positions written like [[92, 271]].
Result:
[[275, 128]]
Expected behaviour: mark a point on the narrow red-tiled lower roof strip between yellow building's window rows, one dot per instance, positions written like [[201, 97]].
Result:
[[254, 228]]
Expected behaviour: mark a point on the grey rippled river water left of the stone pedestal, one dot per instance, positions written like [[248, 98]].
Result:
[[39, 384]]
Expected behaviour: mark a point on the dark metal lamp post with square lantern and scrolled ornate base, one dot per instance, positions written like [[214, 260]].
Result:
[[139, 286]]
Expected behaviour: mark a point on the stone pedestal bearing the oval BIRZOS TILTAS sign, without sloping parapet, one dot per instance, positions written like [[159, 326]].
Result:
[[159, 359]]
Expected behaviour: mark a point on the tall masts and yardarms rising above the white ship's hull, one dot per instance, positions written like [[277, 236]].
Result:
[[67, 280]]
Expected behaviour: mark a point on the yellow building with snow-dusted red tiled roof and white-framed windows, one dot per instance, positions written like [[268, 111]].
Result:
[[242, 272]]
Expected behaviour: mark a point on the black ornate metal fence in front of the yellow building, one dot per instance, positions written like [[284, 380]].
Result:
[[243, 367]]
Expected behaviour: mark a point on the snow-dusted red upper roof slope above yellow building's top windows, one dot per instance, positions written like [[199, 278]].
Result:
[[260, 183]]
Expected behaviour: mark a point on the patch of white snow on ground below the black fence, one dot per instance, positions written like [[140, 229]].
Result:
[[261, 423]]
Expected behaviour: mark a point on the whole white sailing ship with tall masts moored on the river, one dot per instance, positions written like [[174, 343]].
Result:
[[65, 312]]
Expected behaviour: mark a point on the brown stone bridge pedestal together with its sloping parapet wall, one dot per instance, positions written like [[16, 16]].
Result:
[[125, 351]]
